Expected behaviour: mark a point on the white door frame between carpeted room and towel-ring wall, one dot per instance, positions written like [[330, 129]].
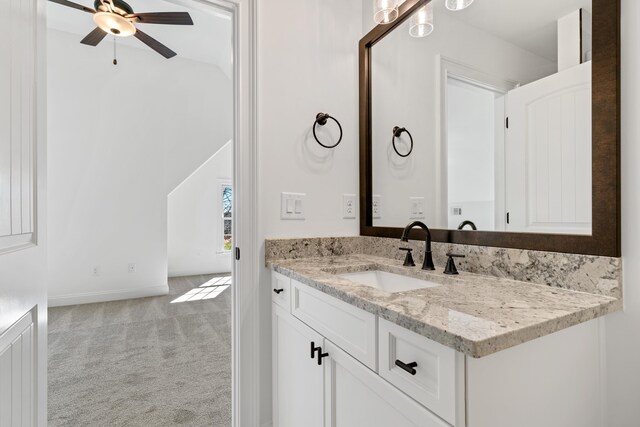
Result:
[[245, 322]]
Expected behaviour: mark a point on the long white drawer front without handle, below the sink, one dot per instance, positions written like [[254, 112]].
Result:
[[350, 328]]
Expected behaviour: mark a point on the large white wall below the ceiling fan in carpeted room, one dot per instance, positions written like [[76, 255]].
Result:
[[120, 138]]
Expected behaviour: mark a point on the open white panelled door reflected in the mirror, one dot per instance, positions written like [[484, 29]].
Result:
[[548, 154]]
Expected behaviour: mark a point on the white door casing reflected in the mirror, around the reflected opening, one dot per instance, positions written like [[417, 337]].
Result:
[[445, 68]]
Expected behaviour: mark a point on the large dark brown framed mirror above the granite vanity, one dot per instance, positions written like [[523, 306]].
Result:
[[485, 123]]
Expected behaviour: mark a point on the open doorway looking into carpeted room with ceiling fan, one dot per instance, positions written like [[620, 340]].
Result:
[[110, 177]]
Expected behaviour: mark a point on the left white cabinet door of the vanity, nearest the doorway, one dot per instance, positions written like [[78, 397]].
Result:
[[297, 378]]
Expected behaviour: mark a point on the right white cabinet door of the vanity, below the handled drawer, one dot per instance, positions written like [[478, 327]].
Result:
[[357, 397]]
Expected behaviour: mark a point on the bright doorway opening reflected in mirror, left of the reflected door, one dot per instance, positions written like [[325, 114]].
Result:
[[475, 153]]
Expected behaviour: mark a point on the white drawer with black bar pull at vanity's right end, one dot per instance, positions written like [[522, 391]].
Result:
[[438, 378]]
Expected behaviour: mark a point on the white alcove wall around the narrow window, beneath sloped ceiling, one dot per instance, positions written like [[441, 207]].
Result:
[[195, 219]]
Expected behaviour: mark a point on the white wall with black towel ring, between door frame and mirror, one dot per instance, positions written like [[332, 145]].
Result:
[[307, 63]]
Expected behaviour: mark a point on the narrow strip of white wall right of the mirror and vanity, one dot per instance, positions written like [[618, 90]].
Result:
[[623, 329]]
